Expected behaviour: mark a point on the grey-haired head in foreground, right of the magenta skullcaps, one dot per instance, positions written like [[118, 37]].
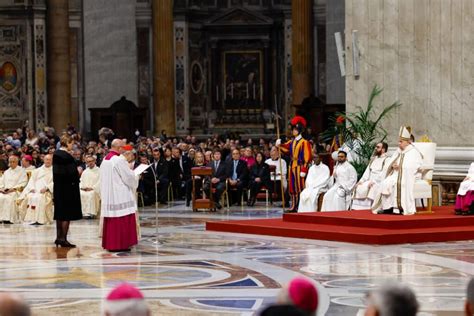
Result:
[[393, 299]]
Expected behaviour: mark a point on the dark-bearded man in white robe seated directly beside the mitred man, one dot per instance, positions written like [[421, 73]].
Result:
[[368, 187]]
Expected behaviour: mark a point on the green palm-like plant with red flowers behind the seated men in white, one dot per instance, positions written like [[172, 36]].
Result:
[[361, 130]]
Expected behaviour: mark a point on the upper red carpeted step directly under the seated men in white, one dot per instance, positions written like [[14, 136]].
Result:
[[442, 217]]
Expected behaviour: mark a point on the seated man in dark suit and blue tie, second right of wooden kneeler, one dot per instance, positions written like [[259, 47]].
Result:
[[237, 174]]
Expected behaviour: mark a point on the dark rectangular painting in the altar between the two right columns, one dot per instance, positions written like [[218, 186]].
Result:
[[243, 78]]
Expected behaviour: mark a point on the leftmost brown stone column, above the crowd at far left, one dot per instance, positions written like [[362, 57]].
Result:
[[59, 74]]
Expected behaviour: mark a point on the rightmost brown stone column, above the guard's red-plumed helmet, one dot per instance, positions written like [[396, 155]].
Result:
[[302, 49]]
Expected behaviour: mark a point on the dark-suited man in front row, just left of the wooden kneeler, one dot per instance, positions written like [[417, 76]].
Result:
[[181, 172]]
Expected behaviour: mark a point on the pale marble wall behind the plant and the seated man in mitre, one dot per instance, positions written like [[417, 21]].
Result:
[[420, 52]]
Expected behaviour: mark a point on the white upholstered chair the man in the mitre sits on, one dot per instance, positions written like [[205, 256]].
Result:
[[423, 189]]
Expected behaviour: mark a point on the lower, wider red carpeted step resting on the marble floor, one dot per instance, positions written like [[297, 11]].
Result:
[[365, 235]]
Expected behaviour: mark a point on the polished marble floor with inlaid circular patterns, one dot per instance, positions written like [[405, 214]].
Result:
[[184, 270]]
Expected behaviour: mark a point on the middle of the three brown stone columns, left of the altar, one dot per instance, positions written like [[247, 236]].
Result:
[[163, 67]]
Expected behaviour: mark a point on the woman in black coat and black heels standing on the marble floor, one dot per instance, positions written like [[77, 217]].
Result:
[[66, 194]]
